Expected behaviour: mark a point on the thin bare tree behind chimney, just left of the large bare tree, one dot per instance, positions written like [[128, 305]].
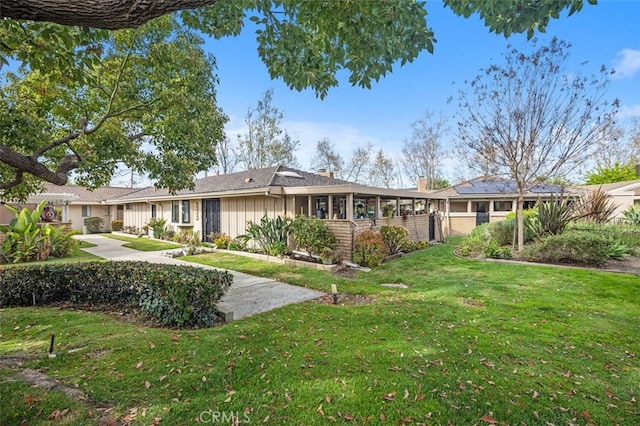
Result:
[[423, 151]]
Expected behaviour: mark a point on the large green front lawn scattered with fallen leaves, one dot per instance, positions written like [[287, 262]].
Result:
[[469, 342]]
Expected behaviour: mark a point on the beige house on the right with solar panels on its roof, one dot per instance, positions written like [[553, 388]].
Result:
[[470, 203]]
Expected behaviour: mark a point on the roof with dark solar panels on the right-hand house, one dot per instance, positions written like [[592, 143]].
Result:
[[488, 187]]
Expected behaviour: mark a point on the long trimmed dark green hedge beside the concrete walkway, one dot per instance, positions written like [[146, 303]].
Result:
[[173, 295]]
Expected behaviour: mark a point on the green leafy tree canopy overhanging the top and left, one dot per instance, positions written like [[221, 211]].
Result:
[[84, 96]]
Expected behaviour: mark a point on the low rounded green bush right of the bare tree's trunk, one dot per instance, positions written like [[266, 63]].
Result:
[[577, 247]]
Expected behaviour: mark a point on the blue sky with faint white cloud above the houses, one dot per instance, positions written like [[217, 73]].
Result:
[[606, 34]]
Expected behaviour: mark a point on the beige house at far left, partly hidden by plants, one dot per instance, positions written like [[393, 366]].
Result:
[[75, 203]]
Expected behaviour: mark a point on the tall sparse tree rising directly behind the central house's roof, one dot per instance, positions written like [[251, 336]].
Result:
[[266, 144]]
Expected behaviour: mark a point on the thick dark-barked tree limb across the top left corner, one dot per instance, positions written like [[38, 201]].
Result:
[[107, 14]]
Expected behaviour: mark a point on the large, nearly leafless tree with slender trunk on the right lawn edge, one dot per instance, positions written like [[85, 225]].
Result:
[[532, 118]]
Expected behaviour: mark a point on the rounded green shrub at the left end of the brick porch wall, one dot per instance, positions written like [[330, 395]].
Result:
[[312, 235]]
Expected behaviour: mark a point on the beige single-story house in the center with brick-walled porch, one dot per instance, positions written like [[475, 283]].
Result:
[[227, 203]]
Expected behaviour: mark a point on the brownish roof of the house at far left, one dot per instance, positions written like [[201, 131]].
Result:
[[80, 195]]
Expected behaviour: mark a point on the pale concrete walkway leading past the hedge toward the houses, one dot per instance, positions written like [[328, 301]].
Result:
[[248, 295]]
